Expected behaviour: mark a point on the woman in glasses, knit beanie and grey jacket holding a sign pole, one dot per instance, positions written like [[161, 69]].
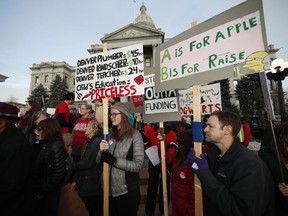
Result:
[[124, 152]]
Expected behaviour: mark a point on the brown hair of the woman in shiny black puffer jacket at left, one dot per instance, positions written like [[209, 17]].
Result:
[[51, 130]]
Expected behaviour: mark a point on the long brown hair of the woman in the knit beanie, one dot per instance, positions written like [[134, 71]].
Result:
[[125, 130]]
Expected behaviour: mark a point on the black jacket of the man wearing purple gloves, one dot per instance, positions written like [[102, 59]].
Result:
[[238, 184]]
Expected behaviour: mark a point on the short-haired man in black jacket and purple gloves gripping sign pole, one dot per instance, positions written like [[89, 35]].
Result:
[[234, 180]]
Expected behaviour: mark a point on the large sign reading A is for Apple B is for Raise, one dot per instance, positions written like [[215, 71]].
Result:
[[225, 46]]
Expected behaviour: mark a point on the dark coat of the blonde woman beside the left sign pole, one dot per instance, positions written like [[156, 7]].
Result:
[[87, 171]]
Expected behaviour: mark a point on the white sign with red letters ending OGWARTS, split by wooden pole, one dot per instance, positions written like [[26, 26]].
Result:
[[210, 99]]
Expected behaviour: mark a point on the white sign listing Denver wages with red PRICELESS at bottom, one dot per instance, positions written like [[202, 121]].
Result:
[[115, 73]]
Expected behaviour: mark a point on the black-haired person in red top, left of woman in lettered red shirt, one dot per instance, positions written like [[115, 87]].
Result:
[[62, 114]]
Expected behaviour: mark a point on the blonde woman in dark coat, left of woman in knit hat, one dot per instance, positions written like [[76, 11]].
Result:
[[87, 172]]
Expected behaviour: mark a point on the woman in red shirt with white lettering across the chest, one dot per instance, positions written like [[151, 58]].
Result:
[[78, 137]]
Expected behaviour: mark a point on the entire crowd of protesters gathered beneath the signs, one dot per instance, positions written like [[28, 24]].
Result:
[[234, 180]]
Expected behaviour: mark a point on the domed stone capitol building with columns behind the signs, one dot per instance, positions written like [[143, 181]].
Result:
[[142, 30]]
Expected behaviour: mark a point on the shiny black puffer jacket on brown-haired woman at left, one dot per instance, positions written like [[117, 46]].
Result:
[[50, 167]]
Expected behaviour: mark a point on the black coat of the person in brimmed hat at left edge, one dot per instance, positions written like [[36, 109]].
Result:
[[16, 188]]
